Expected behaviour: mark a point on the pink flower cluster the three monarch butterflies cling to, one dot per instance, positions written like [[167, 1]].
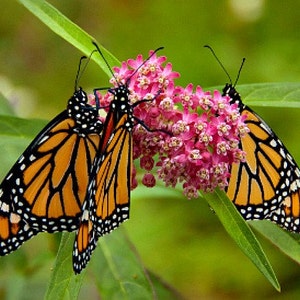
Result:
[[194, 135]]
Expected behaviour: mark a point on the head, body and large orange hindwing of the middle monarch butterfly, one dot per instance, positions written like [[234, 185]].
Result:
[[110, 195]]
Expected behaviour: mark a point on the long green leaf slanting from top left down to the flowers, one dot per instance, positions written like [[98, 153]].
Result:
[[69, 31]]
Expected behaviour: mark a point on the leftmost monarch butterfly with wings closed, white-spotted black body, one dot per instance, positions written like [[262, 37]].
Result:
[[46, 187]]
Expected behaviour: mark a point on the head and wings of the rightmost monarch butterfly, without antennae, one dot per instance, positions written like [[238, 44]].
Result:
[[267, 184]]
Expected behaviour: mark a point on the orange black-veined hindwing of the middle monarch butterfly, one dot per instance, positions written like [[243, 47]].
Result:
[[111, 193]]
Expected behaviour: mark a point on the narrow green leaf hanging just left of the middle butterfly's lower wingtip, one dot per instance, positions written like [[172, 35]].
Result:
[[64, 284]]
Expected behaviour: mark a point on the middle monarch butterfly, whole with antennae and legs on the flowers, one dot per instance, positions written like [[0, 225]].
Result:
[[108, 196]]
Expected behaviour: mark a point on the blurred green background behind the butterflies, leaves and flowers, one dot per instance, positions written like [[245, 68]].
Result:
[[181, 241]]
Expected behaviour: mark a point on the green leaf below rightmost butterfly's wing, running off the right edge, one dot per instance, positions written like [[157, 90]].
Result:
[[285, 241]]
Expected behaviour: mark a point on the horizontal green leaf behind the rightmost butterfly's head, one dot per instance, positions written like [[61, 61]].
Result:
[[279, 94]]
